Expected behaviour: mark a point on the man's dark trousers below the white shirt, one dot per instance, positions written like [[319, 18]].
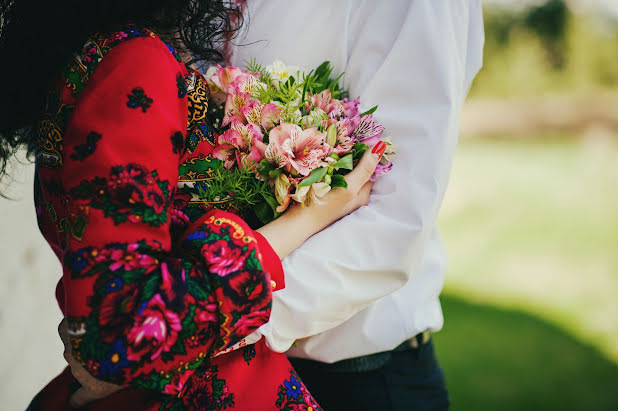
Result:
[[410, 380]]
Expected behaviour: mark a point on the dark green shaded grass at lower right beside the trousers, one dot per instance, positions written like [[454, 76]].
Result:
[[497, 359]]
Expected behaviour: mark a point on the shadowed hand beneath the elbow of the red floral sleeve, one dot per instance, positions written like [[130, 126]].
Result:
[[91, 388]]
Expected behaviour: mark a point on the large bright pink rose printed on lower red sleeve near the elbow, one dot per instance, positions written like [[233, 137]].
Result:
[[154, 331]]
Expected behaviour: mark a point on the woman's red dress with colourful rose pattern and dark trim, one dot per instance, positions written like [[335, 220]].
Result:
[[155, 284]]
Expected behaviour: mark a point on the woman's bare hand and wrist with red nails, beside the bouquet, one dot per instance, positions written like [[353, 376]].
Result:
[[298, 223]]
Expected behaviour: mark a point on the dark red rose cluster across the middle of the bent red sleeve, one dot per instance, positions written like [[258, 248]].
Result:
[[131, 193]]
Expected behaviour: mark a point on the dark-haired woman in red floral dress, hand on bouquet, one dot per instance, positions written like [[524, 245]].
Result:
[[155, 290]]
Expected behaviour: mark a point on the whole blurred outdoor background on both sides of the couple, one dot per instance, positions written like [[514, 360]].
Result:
[[530, 221]]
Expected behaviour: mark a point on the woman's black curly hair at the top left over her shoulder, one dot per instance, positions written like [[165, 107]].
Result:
[[37, 38]]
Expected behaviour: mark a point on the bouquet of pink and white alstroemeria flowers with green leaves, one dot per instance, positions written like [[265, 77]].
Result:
[[285, 135]]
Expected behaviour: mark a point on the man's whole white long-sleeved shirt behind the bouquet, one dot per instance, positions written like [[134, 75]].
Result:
[[372, 280]]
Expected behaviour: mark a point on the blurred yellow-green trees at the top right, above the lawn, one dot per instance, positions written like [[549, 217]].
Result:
[[546, 49]]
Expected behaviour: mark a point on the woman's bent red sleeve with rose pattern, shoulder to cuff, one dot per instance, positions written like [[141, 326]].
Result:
[[138, 314]]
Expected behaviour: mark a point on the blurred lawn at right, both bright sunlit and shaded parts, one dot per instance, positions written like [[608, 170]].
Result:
[[531, 299]]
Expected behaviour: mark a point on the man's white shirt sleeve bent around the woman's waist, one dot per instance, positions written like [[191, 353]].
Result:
[[416, 60]]
